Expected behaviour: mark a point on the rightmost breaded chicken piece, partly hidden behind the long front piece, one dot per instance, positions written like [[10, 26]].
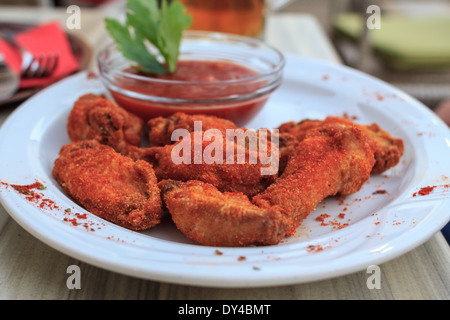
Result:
[[387, 149]]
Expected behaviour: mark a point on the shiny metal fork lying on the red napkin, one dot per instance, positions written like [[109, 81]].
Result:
[[32, 66]]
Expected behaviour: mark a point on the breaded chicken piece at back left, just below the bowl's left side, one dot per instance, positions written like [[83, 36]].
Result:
[[95, 117]]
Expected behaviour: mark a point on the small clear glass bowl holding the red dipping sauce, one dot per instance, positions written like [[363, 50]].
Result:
[[238, 99]]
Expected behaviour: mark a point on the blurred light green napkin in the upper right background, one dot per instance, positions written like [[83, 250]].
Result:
[[404, 42]]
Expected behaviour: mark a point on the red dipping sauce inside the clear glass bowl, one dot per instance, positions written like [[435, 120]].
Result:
[[223, 89]]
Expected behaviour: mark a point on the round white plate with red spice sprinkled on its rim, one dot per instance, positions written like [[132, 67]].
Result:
[[381, 226]]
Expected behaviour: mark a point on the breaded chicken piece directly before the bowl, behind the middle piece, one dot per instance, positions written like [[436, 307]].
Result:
[[161, 128]]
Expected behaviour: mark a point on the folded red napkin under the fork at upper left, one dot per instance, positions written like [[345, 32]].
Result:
[[46, 38]]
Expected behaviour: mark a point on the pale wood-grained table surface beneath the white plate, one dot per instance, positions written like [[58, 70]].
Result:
[[29, 269]]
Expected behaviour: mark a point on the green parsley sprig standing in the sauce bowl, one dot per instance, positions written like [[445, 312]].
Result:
[[146, 24]]
